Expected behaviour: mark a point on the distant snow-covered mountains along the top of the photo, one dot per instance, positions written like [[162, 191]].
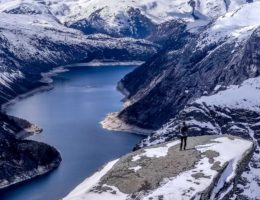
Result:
[[136, 18]]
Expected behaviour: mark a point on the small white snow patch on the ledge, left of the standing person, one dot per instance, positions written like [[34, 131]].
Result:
[[156, 152]]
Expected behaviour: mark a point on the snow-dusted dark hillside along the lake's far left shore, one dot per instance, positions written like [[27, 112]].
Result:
[[33, 43]]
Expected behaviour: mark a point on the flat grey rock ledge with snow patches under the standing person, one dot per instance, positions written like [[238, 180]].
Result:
[[208, 169]]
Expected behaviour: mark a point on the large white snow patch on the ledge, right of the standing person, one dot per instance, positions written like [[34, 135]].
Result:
[[185, 186]]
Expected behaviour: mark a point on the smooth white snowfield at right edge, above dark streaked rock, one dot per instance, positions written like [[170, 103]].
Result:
[[244, 96]]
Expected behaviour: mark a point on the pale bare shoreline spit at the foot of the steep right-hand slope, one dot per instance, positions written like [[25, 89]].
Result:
[[113, 123]]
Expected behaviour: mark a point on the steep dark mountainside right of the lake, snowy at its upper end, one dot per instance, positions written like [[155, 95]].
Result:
[[225, 53]]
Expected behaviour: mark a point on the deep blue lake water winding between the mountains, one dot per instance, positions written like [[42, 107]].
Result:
[[70, 116]]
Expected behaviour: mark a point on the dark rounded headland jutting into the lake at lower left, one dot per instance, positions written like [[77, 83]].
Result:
[[22, 159]]
